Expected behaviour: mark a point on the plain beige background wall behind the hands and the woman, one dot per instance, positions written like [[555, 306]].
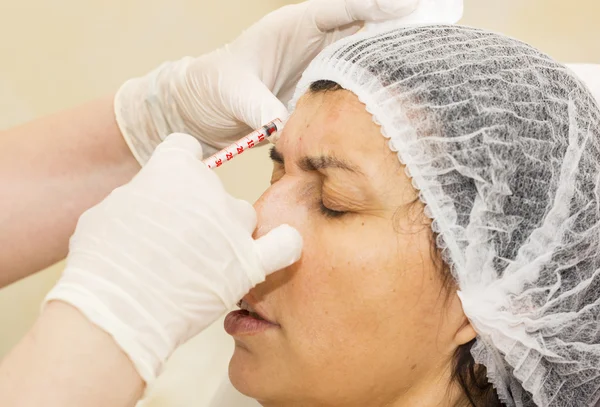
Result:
[[60, 53]]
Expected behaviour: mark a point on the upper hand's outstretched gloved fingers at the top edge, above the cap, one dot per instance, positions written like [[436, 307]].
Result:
[[332, 14]]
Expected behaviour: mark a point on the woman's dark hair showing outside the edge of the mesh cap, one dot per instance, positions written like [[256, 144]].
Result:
[[471, 377]]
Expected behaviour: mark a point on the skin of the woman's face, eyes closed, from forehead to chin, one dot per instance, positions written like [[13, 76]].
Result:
[[364, 319]]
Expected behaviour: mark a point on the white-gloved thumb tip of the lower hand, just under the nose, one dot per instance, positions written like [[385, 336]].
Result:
[[279, 248]]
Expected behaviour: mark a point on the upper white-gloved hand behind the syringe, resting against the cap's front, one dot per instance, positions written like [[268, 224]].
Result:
[[246, 83]]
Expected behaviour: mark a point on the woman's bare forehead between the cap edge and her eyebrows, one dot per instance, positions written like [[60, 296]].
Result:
[[330, 122]]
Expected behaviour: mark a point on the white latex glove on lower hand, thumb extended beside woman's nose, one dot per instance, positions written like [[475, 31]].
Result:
[[164, 256]]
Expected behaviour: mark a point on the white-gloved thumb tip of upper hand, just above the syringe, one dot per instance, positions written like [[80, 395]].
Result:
[[257, 105]]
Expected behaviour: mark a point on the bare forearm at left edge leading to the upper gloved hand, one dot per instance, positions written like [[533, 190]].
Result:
[[51, 171]]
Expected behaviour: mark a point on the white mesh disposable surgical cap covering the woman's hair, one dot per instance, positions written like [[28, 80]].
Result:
[[503, 144]]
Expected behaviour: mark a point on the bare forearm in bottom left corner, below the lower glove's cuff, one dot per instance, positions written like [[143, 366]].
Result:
[[66, 361]]
